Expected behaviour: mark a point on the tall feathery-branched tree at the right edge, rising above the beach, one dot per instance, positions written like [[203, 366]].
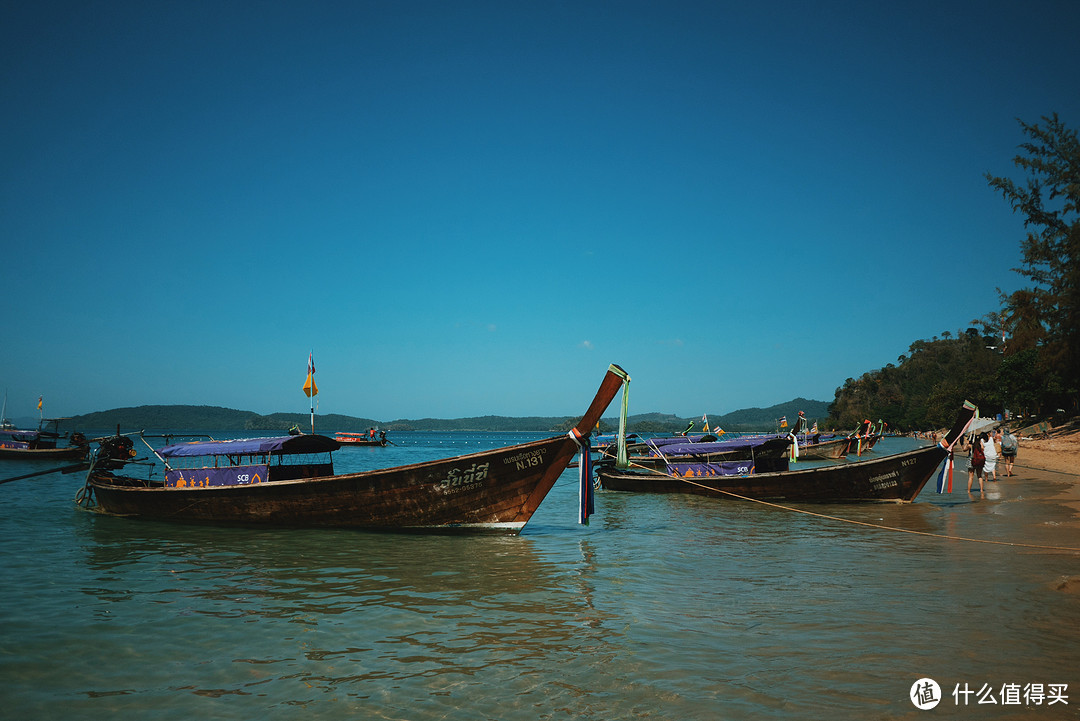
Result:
[[1050, 203]]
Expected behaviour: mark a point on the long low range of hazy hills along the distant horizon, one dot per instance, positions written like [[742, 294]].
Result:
[[214, 418]]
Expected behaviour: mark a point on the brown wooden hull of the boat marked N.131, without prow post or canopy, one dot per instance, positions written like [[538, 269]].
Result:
[[457, 494]]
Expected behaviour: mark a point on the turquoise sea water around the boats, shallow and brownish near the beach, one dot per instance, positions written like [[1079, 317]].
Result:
[[663, 608]]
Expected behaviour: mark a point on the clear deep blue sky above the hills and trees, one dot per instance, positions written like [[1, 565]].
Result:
[[474, 208]]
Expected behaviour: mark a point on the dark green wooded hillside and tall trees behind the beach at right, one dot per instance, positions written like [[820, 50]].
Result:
[[1025, 357]]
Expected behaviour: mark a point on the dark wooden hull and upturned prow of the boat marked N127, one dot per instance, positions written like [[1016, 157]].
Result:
[[897, 479]]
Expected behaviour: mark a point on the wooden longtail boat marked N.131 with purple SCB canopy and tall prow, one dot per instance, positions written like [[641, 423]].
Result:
[[278, 482]]
